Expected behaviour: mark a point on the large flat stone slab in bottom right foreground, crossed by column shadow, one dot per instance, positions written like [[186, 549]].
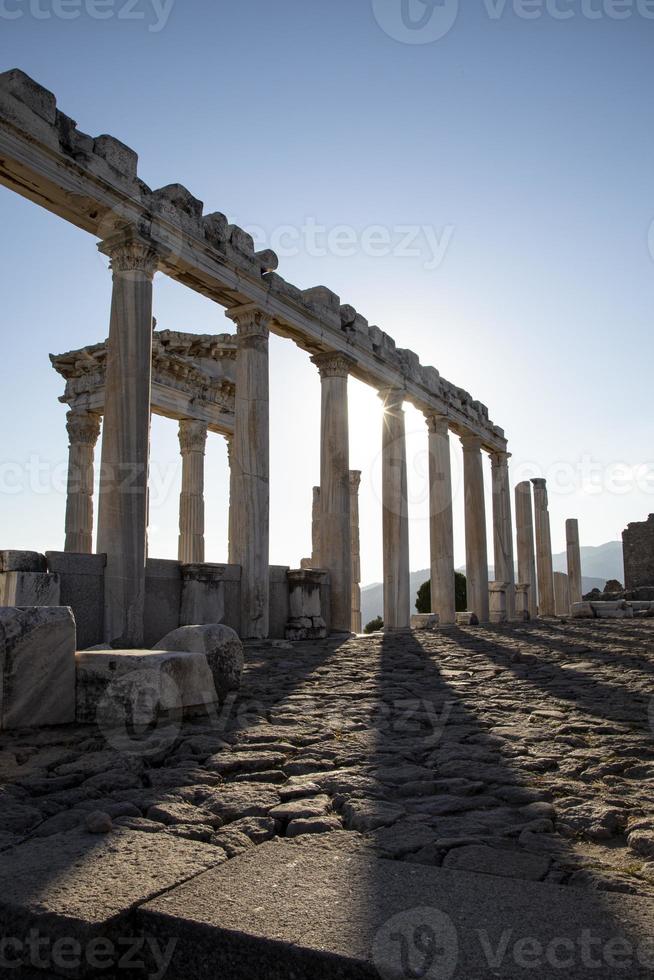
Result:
[[285, 910]]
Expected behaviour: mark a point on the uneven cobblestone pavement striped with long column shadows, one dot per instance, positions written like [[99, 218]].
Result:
[[523, 751]]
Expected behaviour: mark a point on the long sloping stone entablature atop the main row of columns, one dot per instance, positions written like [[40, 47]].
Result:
[[93, 183]]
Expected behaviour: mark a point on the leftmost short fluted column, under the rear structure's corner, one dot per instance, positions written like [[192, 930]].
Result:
[[83, 431]]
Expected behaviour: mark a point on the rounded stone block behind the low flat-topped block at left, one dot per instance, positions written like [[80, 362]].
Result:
[[219, 644]]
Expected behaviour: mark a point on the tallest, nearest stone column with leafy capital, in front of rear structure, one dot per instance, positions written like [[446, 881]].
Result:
[[122, 512]]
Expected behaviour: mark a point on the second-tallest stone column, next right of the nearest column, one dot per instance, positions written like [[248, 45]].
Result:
[[250, 503]]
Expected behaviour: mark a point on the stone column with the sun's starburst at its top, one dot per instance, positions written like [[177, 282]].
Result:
[[395, 513]]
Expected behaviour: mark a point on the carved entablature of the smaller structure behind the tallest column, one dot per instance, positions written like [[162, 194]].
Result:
[[193, 376]]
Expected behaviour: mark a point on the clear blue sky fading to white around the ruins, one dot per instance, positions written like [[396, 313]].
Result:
[[524, 146]]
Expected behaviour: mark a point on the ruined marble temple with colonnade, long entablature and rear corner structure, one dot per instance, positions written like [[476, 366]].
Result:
[[219, 384]]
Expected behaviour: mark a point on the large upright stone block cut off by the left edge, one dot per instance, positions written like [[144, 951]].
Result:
[[37, 667]]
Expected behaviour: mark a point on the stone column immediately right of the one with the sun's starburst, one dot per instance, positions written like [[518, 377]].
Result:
[[441, 525]]
